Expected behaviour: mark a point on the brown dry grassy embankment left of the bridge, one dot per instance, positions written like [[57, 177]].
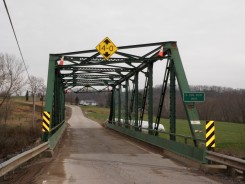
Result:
[[17, 133]]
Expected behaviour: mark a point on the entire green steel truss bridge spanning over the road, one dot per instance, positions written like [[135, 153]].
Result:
[[86, 71]]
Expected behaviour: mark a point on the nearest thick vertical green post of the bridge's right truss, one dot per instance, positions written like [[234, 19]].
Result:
[[172, 102]]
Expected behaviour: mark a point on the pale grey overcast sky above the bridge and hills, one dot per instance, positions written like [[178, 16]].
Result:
[[210, 34]]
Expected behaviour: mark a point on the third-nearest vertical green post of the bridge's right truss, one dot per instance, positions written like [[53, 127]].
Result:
[[136, 87]]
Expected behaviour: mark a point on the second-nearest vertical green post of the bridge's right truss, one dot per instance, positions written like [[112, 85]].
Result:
[[150, 97]]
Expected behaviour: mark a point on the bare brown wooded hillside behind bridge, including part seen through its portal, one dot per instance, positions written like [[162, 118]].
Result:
[[221, 103]]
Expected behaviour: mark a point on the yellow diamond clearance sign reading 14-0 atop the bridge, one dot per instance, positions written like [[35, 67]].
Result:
[[106, 48]]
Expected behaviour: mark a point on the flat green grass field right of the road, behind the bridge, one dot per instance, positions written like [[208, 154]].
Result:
[[230, 137]]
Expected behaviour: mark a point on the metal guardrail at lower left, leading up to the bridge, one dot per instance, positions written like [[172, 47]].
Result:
[[16, 161]]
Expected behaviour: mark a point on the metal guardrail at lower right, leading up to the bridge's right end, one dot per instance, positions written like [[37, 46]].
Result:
[[229, 161]]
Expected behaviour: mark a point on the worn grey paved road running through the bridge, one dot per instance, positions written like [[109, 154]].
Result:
[[91, 154]]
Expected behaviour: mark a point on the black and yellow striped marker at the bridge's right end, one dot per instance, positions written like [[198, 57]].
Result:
[[210, 136]]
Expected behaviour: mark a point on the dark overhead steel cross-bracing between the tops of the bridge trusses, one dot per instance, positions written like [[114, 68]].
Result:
[[84, 65]]
